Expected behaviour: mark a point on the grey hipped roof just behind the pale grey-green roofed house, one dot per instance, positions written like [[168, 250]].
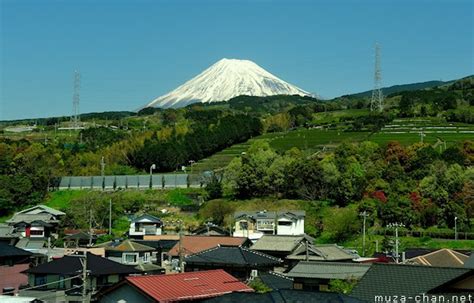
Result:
[[326, 252]]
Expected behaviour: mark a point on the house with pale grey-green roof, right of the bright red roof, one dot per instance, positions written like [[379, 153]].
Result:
[[312, 275]]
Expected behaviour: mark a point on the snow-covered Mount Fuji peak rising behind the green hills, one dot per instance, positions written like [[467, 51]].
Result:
[[225, 79]]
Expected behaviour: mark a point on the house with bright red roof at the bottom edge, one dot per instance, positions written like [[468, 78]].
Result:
[[188, 287]]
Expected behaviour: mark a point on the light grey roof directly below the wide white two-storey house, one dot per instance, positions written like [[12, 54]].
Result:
[[280, 243]]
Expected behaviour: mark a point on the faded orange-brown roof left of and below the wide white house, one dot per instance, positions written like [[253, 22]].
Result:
[[195, 244]]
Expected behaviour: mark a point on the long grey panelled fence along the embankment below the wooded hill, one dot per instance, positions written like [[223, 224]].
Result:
[[129, 182]]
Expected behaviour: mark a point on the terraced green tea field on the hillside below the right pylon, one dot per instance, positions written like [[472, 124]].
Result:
[[406, 131]]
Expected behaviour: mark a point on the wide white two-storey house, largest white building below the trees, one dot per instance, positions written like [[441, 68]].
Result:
[[255, 224]]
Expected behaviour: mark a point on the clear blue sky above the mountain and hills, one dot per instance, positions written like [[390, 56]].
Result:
[[130, 52]]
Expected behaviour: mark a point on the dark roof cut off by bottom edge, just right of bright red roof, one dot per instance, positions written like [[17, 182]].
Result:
[[285, 295]]
